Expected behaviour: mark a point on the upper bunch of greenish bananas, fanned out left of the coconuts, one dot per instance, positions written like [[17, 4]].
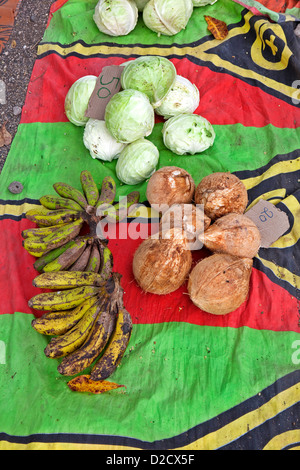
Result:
[[56, 241]]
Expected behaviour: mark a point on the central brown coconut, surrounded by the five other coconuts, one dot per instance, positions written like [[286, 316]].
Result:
[[188, 217]]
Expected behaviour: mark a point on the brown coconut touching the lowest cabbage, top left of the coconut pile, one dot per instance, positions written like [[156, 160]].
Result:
[[170, 185]]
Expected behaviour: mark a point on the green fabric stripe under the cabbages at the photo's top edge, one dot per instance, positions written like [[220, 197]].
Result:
[[74, 21]]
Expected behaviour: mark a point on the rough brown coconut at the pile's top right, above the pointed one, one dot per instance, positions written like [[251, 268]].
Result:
[[221, 193]]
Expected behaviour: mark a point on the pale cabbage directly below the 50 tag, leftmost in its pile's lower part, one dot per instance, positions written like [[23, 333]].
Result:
[[99, 141]]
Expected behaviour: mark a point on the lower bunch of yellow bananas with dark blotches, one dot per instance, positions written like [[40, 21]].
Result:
[[86, 318]]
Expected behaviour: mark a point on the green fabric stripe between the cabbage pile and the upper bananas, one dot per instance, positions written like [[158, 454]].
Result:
[[58, 154]]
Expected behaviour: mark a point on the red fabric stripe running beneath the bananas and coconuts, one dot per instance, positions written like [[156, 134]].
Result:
[[269, 306]]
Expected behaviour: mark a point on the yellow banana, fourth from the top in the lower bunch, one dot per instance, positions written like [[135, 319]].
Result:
[[61, 346]]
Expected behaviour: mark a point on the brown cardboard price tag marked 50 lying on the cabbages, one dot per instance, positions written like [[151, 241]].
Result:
[[108, 84]]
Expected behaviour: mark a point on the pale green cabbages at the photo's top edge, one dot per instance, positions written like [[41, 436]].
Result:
[[167, 17]]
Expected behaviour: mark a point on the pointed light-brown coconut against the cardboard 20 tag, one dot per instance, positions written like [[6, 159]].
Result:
[[234, 234]]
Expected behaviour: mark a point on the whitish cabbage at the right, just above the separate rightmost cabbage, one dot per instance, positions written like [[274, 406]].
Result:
[[184, 97]]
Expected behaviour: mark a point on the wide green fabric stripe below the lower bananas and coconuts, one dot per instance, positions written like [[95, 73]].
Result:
[[189, 372]]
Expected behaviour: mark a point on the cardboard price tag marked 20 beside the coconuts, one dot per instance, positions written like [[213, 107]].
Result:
[[271, 222]]
